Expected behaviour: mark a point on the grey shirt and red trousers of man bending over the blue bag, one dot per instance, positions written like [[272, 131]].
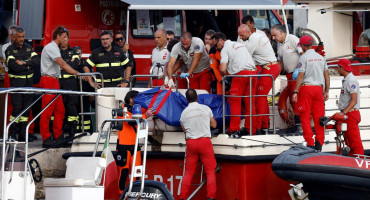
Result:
[[201, 77]]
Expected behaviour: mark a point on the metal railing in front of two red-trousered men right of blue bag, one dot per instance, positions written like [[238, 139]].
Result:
[[250, 115]]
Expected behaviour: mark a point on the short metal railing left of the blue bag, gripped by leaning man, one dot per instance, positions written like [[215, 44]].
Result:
[[82, 113]]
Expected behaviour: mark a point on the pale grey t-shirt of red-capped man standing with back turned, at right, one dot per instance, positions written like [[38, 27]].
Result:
[[312, 65]]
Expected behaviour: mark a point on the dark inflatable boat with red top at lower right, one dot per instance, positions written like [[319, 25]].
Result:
[[325, 175]]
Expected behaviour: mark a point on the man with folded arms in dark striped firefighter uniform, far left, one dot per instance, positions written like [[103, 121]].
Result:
[[21, 60]]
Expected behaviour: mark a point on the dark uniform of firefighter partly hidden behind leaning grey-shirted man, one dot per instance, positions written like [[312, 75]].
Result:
[[69, 82]]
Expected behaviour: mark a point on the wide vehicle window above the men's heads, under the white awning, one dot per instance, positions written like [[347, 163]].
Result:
[[144, 23]]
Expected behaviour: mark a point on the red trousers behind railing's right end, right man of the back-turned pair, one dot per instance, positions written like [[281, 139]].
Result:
[[264, 85]]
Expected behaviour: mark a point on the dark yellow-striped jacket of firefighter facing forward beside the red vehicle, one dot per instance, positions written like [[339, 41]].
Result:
[[111, 64]]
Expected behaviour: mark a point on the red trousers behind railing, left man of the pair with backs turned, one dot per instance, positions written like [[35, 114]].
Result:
[[240, 86]]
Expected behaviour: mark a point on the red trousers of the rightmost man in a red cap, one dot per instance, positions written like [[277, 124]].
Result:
[[352, 135]]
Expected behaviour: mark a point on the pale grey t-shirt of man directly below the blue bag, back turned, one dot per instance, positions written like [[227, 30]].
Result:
[[196, 119]]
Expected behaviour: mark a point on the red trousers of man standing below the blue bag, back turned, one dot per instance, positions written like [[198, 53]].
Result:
[[199, 148]]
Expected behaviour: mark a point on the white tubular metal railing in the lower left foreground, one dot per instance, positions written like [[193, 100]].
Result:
[[7, 141]]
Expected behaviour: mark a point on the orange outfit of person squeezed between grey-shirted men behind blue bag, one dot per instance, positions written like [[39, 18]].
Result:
[[214, 62]]
